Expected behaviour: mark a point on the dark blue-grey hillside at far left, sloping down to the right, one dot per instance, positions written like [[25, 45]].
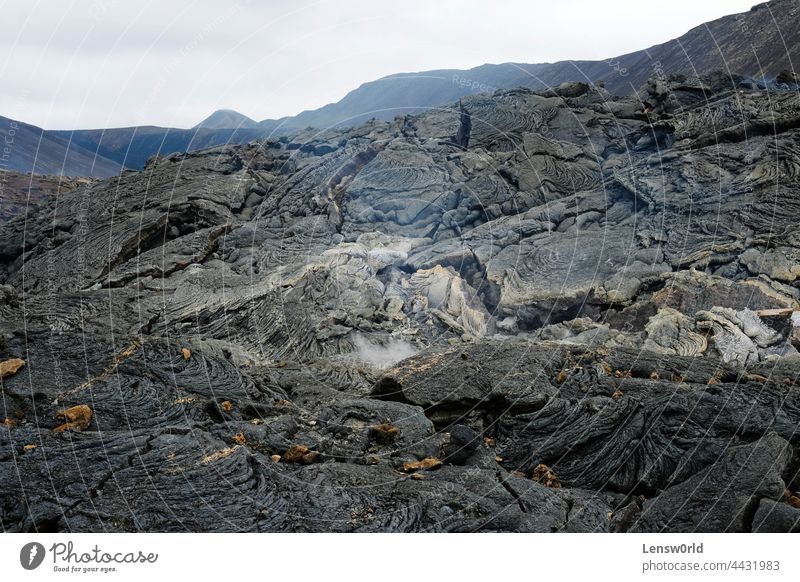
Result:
[[32, 149]]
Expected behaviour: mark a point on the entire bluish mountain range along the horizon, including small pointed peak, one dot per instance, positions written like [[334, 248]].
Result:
[[758, 44]]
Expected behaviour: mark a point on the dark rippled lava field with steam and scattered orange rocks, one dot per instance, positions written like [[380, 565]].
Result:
[[553, 311]]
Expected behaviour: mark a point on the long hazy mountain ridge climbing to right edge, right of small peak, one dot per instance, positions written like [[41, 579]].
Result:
[[760, 44]]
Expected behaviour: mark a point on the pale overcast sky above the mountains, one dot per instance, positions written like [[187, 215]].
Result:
[[110, 63]]
